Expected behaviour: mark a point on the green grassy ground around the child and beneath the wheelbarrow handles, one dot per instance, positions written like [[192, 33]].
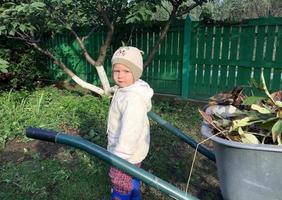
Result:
[[32, 169]]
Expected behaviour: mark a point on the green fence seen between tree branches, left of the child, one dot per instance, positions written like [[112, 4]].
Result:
[[66, 48]]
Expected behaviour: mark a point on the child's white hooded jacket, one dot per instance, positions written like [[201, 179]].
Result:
[[128, 125]]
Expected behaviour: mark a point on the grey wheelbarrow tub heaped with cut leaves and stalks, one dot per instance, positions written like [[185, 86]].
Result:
[[246, 133]]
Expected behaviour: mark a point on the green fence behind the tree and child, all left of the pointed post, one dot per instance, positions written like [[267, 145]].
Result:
[[164, 73]]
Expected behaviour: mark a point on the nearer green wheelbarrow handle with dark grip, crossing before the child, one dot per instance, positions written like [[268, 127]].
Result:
[[103, 154]]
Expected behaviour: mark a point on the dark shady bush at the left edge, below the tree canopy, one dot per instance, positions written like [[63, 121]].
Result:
[[26, 68]]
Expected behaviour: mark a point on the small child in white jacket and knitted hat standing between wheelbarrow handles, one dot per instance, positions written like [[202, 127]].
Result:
[[128, 124]]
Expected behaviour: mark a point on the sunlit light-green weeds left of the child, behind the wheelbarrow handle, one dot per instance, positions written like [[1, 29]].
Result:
[[49, 108]]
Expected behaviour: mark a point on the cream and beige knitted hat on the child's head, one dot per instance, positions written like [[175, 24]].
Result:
[[131, 57]]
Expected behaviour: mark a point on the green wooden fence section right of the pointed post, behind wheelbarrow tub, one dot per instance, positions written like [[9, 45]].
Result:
[[224, 56]]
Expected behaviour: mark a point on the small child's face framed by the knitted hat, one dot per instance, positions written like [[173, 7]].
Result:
[[122, 75]]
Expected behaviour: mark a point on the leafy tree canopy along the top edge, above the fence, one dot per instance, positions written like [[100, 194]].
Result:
[[37, 17]]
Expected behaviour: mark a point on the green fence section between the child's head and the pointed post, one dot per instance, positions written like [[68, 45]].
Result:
[[164, 73]]
